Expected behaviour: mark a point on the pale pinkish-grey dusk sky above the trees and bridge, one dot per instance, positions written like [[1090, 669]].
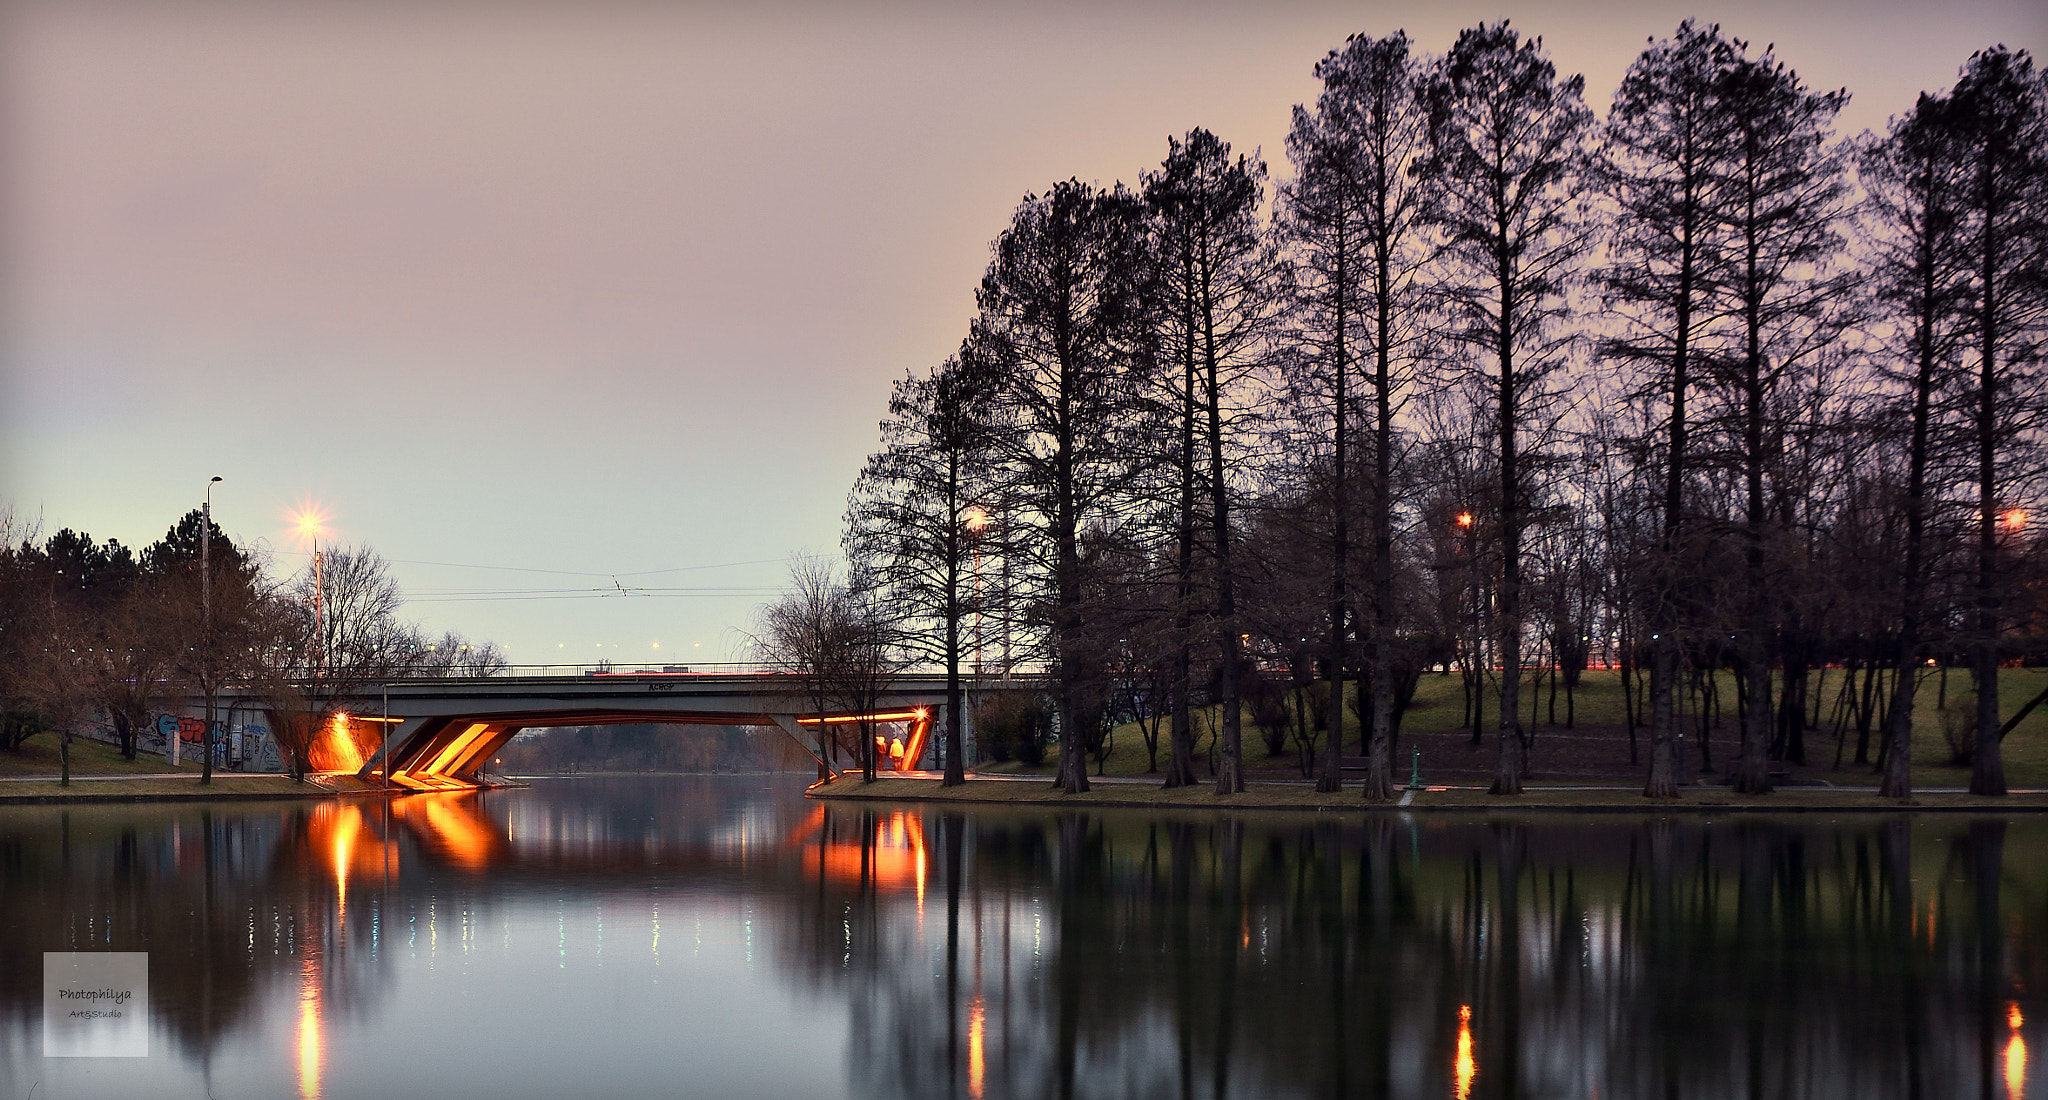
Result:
[[585, 314]]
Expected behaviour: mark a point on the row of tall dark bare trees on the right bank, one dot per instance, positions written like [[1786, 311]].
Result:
[[1498, 386]]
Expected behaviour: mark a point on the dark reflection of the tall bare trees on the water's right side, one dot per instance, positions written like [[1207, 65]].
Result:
[[1105, 956]]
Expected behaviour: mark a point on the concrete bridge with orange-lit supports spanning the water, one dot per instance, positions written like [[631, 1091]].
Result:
[[441, 732]]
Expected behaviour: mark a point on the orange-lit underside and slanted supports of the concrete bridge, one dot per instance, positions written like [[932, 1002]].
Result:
[[450, 753]]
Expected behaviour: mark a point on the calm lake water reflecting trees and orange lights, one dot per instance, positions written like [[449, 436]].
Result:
[[693, 937]]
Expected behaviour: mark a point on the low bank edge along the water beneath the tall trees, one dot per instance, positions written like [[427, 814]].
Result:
[[1437, 800]]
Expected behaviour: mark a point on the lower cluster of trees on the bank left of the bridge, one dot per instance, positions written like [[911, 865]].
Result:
[[97, 630]]
